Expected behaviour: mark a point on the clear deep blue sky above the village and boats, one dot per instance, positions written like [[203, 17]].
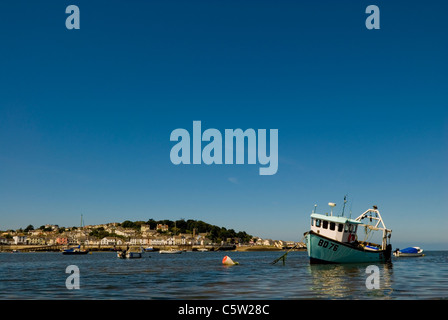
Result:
[[86, 115]]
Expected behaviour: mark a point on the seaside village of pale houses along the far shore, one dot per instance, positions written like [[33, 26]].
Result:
[[117, 236]]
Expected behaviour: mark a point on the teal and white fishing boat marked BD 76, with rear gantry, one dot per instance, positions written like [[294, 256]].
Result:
[[334, 239]]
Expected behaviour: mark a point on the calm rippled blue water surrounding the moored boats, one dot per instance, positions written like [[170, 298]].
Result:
[[200, 275]]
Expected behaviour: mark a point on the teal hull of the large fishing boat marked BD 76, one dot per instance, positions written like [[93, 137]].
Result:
[[325, 250]]
